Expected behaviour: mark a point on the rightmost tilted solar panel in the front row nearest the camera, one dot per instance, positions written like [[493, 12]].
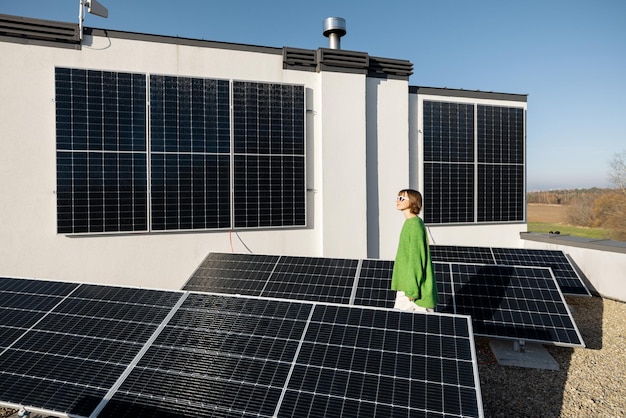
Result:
[[354, 364]]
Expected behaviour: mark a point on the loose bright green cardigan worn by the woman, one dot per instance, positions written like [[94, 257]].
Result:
[[413, 268]]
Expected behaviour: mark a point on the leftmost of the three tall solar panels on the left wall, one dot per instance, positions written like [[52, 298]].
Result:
[[101, 151]]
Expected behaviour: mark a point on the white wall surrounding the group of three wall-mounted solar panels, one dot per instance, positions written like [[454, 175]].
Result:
[[29, 244]]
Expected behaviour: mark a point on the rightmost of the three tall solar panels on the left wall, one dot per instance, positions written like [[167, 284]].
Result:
[[269, 155]]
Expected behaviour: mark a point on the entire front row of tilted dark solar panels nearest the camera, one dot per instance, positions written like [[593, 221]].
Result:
[[121, 352]]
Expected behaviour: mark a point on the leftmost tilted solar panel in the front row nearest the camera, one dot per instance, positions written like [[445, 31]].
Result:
[[65, 357]]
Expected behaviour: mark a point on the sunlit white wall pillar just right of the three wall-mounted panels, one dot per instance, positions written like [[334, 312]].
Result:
[[341, 98]]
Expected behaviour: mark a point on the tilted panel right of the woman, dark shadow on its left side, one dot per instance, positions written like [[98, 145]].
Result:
[[521, 303]]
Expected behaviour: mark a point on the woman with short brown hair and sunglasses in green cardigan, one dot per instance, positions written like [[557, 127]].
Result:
[[413, 275]]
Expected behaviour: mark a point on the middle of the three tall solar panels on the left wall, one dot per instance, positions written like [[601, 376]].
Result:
[[189, 153]]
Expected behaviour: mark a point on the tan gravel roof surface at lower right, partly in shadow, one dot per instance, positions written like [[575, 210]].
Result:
[[591, 381]]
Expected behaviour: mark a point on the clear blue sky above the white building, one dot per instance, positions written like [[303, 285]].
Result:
[[568, 56]]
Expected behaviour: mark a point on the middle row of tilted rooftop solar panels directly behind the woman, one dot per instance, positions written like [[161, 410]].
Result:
[[512, 302]]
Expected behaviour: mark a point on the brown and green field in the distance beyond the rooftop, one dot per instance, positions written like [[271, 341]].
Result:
[[552, 218]]
